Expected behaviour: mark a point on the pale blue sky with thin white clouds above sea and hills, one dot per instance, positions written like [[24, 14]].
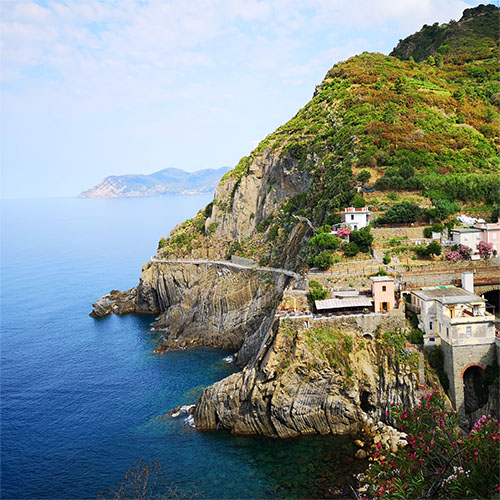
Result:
[[91, 88]]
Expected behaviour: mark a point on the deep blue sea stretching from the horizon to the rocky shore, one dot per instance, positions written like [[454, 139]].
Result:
[[83, 400]]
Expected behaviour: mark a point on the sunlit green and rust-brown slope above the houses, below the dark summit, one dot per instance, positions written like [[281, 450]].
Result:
[[380, 113]]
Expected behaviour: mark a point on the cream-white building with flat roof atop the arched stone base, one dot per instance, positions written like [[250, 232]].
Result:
[[453, 315]]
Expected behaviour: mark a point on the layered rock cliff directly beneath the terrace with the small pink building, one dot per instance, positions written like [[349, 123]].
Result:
[[297, 386]]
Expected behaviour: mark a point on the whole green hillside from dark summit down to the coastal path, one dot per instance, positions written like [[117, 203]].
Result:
[[430, 128]]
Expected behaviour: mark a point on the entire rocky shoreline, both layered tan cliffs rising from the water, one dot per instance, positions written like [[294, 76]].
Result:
[[292, 381]]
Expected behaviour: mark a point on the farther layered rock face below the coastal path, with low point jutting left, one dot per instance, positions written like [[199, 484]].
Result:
[[203, 304]]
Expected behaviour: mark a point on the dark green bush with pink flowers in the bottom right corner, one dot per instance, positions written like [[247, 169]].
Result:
[[439, 461]]
